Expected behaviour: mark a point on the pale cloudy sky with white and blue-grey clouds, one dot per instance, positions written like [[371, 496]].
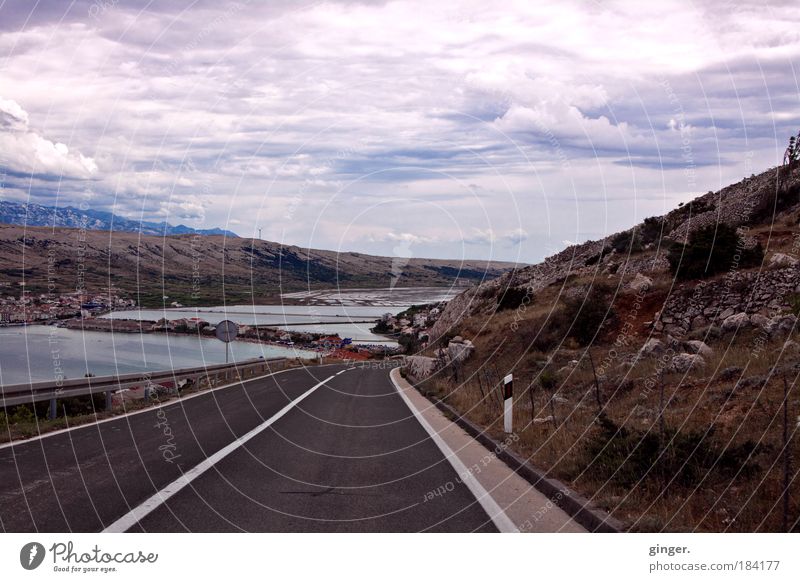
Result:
[[444, 129]]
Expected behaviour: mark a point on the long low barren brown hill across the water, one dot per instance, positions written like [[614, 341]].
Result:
[[202, 270]]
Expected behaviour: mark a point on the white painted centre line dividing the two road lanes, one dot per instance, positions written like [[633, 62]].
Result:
[[138, 513]]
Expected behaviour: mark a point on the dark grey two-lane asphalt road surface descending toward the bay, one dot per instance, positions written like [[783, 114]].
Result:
[[349, 457]]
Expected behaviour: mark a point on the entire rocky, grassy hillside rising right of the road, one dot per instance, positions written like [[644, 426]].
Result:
[[650, 367]]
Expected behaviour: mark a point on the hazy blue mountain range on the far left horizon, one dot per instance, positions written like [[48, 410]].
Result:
[[37, 215]]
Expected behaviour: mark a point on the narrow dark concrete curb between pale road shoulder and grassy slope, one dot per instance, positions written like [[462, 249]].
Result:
[[576, 506]]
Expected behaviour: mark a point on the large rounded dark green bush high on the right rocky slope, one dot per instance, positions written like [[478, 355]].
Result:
[[711, 250]]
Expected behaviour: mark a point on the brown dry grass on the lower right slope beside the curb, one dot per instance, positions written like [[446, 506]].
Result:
[[717, 461]]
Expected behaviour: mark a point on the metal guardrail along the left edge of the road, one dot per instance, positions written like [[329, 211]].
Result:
[[16, 394]]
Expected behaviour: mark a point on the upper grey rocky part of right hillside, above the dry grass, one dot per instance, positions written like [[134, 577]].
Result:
[[763, 207]]
